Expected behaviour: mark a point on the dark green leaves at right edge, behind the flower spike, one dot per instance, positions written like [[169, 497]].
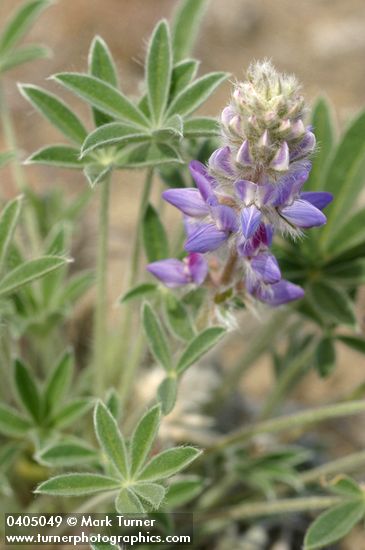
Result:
[[330, 263]]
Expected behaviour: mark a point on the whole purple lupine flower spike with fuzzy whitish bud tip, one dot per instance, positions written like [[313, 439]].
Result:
[[251, 189]]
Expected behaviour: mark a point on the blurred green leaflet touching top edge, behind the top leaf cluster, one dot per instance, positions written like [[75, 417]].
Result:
[[185, 27]]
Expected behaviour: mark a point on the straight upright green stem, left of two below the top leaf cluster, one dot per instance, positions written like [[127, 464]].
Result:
[[100, 318]]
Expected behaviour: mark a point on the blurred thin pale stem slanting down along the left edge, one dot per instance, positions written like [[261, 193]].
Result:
[[18, 172]]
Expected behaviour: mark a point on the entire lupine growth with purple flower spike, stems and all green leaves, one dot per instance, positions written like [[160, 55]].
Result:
[[271, 246]]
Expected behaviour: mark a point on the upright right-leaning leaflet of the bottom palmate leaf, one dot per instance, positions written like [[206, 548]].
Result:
[[143, 437]]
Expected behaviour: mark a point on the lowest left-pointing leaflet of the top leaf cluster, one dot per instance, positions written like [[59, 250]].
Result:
[[61, 156]]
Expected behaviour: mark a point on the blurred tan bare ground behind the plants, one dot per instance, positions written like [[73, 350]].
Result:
[[321, 41]]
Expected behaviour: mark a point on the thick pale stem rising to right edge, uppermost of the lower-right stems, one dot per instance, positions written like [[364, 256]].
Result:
[[289, 422]]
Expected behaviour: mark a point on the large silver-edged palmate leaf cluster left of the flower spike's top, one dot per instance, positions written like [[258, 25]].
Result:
[[149, 133]]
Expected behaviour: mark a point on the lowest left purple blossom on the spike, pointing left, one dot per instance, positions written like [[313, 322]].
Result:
[[175, 273]]
